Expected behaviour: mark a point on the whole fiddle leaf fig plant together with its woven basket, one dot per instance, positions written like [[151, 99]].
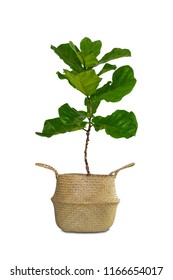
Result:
[[88, 202]]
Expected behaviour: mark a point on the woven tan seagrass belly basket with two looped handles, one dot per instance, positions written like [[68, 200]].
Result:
[[85, 203]]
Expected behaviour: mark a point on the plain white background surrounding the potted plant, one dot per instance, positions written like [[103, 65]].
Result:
[[31, 92]]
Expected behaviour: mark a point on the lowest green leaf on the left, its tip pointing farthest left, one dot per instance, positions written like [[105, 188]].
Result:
[[56, 126]]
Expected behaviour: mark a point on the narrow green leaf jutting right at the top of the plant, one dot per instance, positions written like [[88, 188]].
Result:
[[115, 53]]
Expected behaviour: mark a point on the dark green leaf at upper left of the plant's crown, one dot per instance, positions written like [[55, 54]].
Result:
[[68, 55]]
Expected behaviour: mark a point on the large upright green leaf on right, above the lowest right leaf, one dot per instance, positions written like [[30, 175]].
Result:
[[123, 81]]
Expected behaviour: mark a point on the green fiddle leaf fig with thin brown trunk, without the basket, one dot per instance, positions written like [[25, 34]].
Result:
[[84, 76]]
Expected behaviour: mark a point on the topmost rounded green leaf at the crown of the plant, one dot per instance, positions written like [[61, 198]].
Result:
[[87, 46]]
